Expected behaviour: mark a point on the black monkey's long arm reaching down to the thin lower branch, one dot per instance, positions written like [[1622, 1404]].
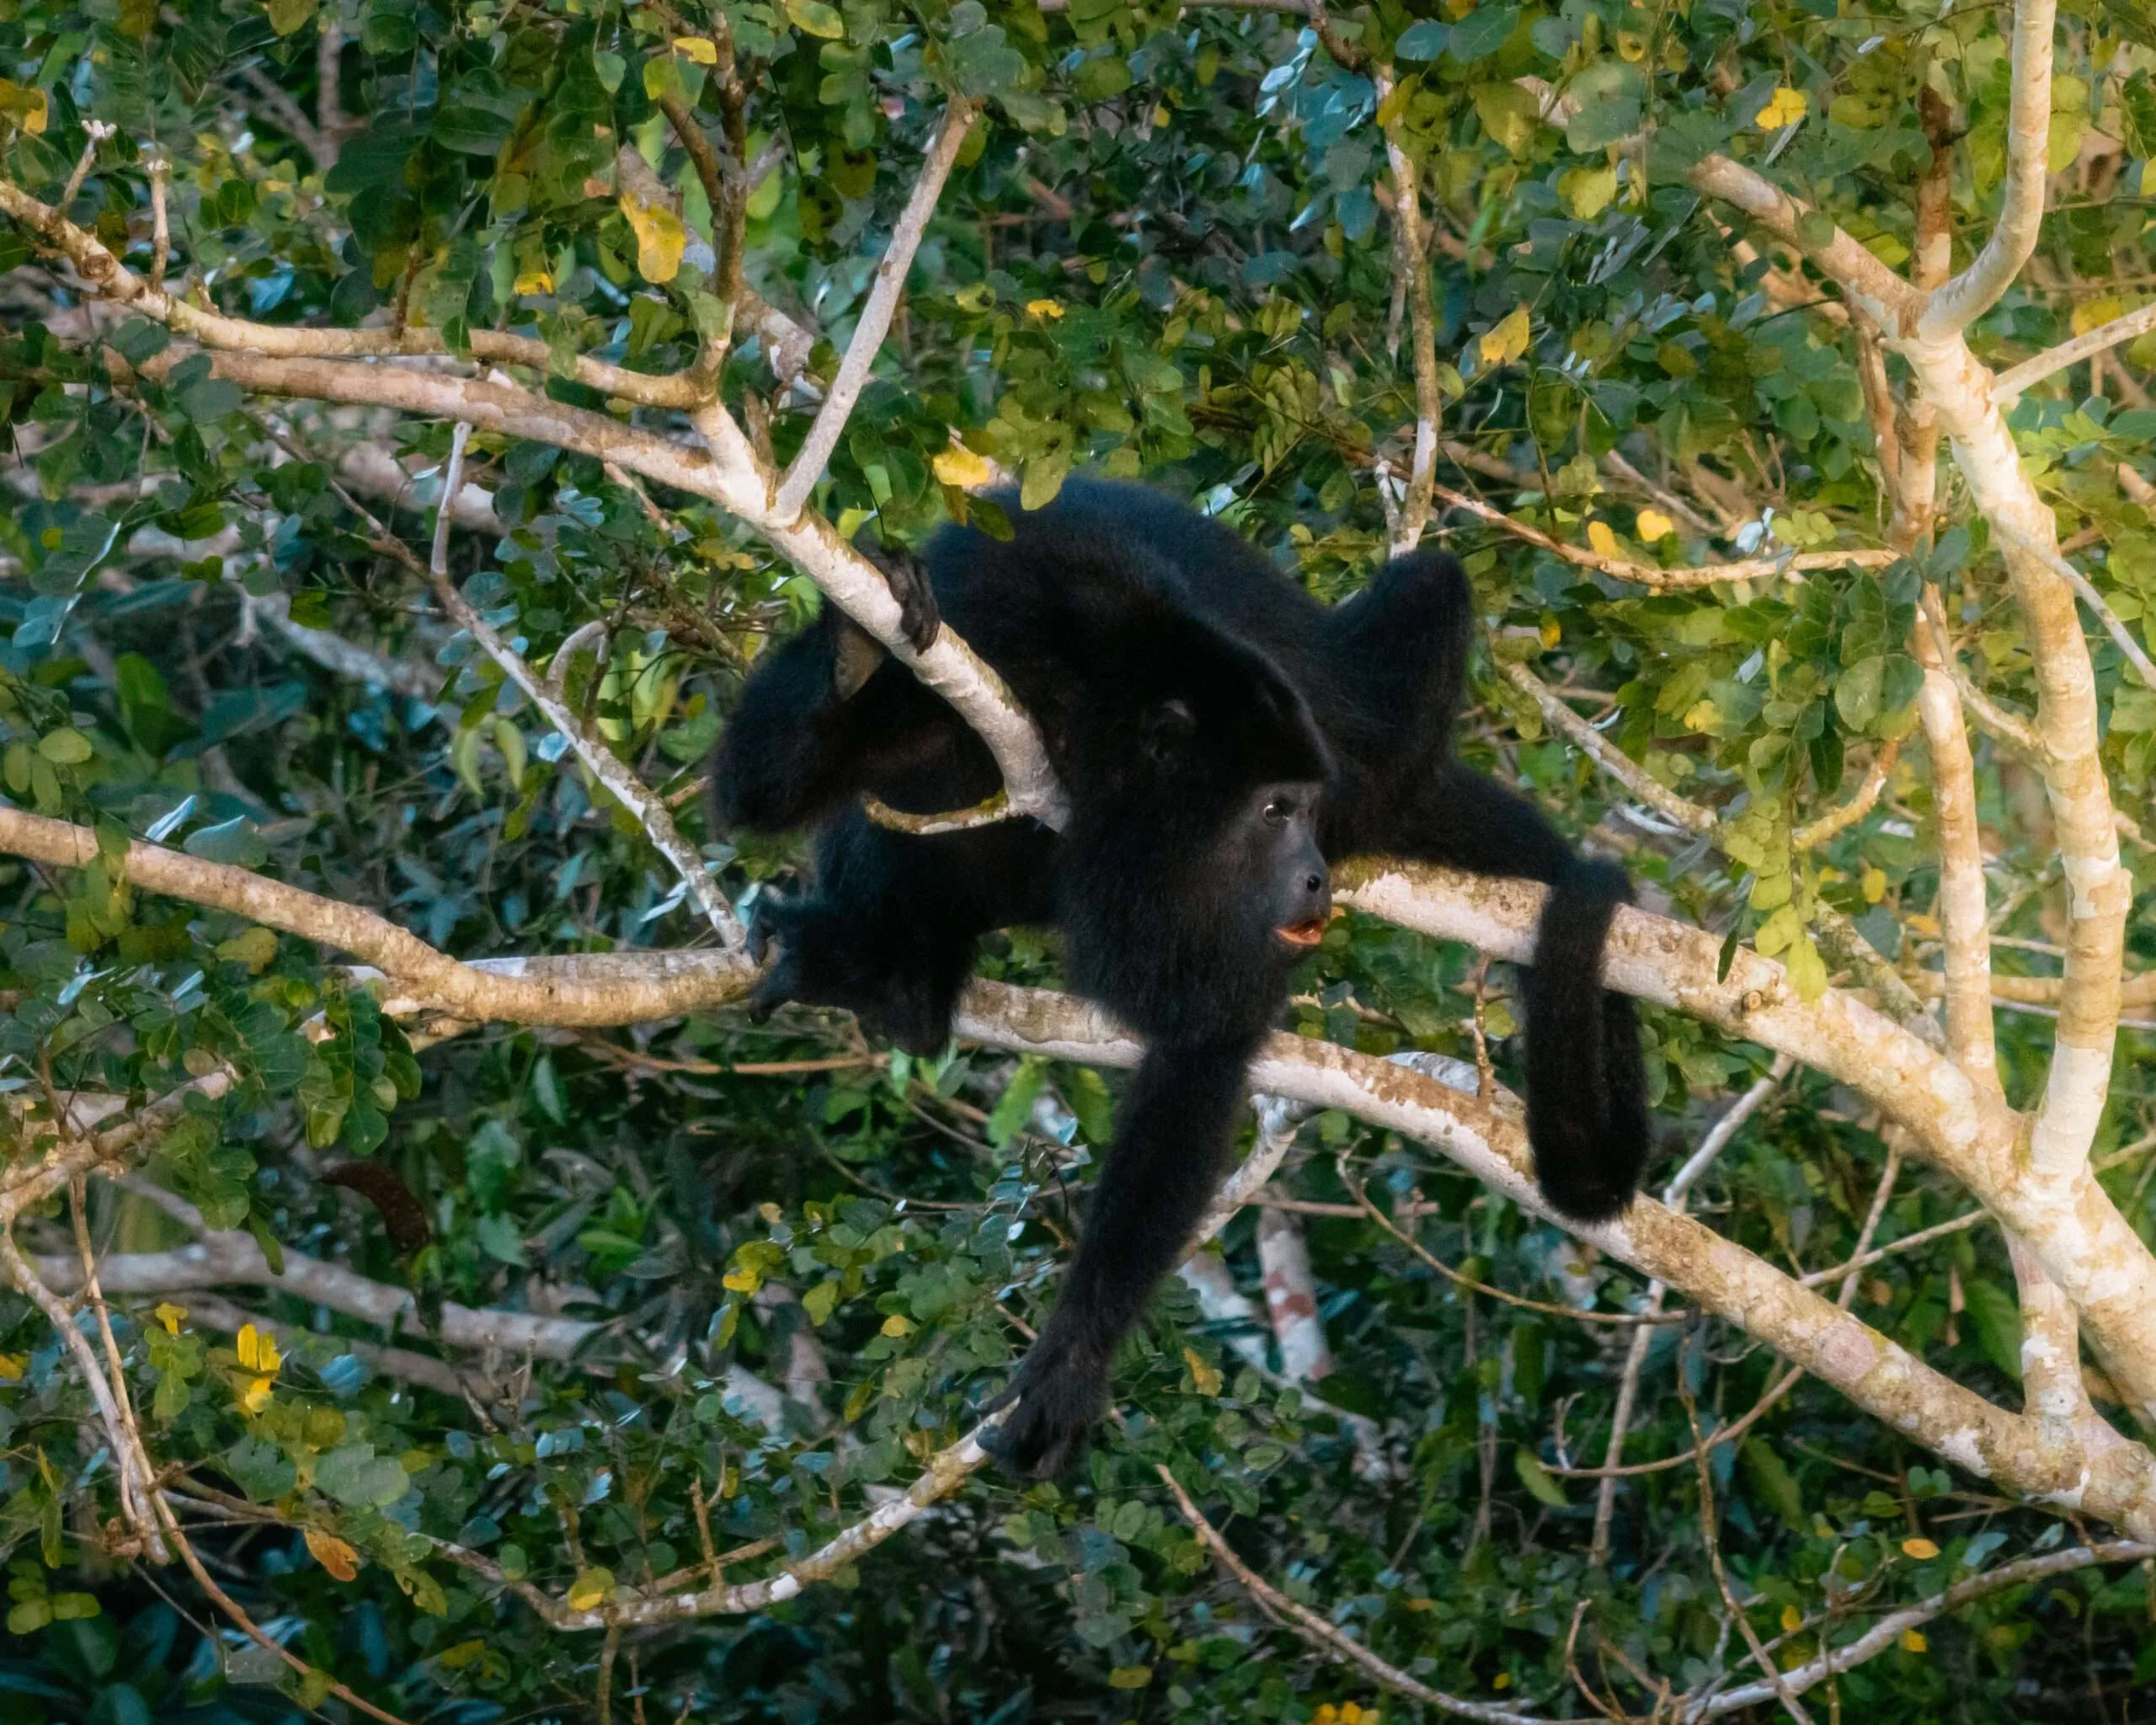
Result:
[[1165, 1165]]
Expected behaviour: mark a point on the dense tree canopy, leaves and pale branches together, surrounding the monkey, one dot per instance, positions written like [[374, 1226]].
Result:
[[434, 1299]]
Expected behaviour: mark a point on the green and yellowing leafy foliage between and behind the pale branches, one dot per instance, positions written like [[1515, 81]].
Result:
[[799, 1265]]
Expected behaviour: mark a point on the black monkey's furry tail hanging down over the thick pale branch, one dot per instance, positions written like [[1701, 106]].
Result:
[[1586, 1079]]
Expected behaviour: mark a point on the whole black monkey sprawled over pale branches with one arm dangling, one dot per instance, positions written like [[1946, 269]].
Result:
[[1221, 736]]
